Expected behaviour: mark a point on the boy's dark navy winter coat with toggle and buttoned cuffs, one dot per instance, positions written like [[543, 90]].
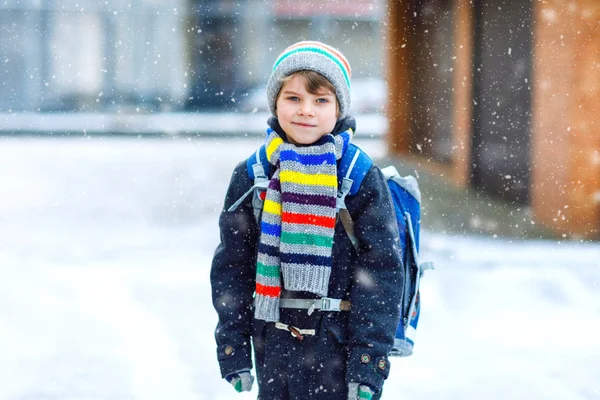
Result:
[[348, 347]]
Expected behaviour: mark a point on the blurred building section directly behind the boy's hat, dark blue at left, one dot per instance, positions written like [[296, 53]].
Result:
[[233, 44]]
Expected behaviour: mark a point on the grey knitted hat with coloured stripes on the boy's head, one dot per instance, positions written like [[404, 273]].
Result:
[[312, 56]]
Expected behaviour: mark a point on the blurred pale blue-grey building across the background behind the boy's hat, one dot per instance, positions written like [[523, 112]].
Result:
[[86, 55]]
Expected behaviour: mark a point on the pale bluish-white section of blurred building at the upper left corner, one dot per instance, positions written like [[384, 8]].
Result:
[[89, 55]]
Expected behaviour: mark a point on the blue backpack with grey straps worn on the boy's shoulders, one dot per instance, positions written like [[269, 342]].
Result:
[[406, 198]]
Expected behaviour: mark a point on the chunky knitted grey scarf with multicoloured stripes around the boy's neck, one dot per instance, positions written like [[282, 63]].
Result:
[[298, 220]]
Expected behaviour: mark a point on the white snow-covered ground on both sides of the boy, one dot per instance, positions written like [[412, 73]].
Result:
[[105, 246]]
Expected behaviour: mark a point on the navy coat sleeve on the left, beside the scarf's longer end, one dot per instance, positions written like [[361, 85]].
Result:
[[233, 277]]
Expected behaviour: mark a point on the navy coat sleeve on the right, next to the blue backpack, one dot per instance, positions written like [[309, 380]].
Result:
[[376, 290]]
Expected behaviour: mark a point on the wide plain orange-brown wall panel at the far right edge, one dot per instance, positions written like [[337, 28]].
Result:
[[566, 114]]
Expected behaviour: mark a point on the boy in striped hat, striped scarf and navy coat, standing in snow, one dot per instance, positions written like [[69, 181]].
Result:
[[268, 278]]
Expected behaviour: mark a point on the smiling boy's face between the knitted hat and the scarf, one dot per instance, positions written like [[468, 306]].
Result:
[[305, 117]]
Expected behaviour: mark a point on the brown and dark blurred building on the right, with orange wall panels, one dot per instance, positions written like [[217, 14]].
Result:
[[504, 96]]
